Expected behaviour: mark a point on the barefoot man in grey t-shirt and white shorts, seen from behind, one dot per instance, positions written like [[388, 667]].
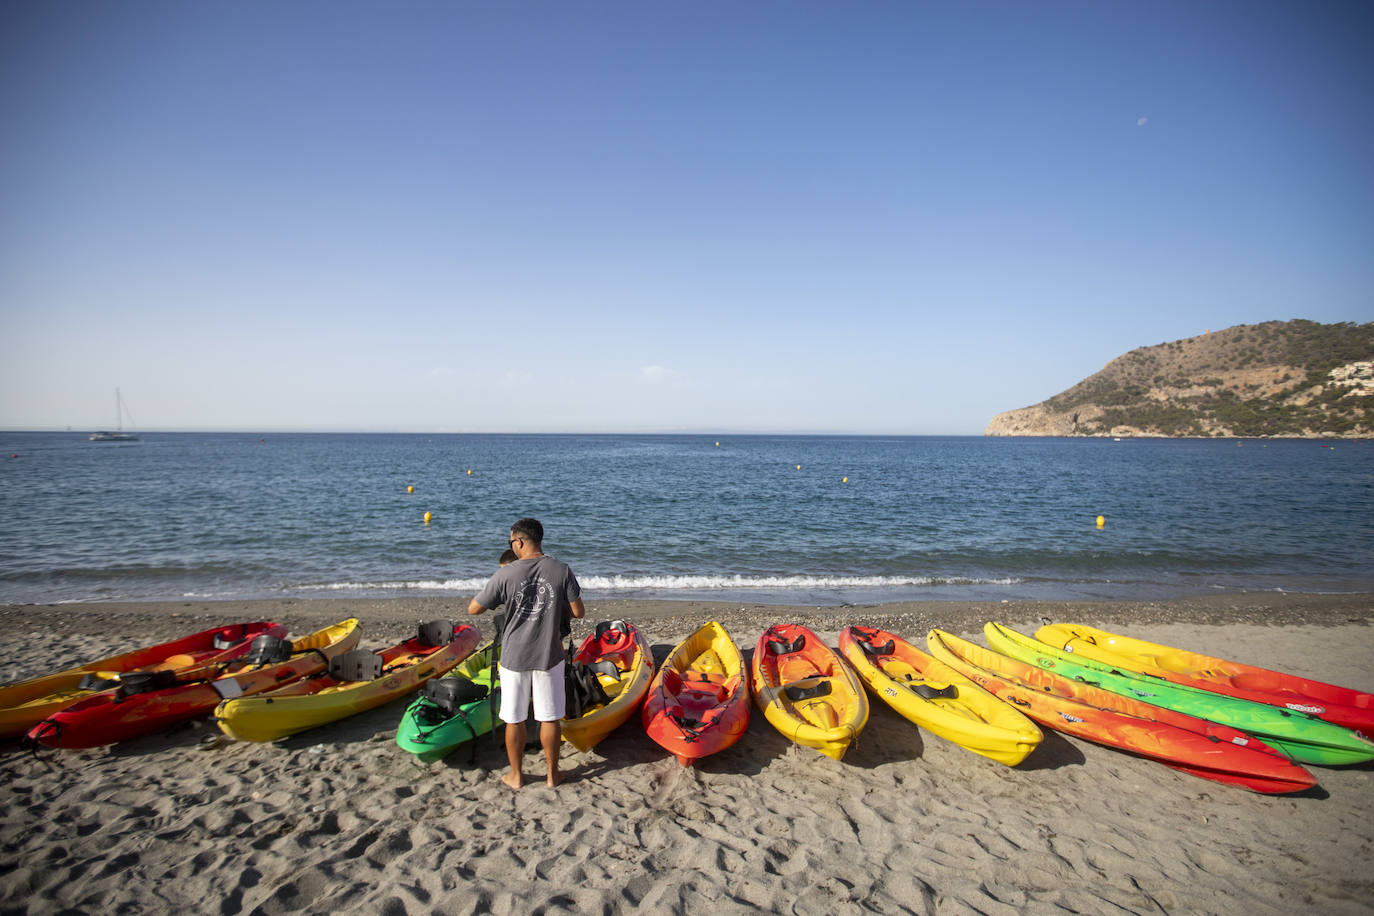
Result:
[[538, 593]]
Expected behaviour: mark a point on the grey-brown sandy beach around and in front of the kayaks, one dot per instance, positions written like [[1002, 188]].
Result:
[[340, 819]]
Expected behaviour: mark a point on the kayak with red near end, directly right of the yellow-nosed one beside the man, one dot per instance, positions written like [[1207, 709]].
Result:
[[699, 702]]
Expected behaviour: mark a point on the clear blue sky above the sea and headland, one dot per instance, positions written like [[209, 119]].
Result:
[[894, 218]]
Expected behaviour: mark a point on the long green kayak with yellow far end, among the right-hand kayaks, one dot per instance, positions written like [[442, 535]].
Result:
[[1303, 738]]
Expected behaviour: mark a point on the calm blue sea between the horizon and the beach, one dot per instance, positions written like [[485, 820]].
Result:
[[232, 516]]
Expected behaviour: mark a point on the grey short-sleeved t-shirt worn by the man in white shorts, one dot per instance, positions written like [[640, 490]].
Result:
[[537, 594]]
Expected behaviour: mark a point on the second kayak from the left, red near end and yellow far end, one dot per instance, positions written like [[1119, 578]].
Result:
[[163, 700]]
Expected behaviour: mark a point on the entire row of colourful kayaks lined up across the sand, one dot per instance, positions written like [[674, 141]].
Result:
[[1221, 720]]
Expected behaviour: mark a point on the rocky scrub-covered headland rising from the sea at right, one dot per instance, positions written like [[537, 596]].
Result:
[[1280, 378]]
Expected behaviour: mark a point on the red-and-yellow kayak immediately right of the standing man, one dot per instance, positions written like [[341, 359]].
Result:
[[619, 657]]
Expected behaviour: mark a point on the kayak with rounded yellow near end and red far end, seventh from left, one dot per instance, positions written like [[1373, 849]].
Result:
[[807, 691]]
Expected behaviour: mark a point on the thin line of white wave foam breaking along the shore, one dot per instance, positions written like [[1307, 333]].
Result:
[[686, 583]]
